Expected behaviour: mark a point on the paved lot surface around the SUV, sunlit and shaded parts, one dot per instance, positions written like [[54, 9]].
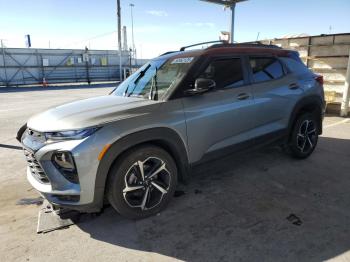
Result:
[[257, 206]]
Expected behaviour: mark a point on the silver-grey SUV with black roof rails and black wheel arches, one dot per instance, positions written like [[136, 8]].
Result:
[[131, 147]]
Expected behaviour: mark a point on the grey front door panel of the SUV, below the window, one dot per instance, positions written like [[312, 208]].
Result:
[[217, 120]]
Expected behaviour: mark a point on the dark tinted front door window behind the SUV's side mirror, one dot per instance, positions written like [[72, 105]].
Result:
[[226, 73]]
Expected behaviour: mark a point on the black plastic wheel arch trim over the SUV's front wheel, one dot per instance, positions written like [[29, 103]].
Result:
[[162, 136]]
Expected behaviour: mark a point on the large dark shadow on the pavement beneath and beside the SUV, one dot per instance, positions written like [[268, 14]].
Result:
[[262, 206]]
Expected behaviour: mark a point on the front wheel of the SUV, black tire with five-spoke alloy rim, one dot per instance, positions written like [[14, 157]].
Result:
[[126, 175]]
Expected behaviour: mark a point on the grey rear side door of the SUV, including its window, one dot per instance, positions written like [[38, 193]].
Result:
[[273, 98]]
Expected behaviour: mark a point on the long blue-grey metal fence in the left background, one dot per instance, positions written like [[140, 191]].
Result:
[[27, 66]]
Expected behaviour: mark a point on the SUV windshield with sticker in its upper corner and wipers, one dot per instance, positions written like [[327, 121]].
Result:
[[154, 79]]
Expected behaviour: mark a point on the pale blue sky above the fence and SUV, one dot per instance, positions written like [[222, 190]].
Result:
[[163, 25]]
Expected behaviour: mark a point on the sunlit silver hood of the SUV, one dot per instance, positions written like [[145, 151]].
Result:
[[91, 112]]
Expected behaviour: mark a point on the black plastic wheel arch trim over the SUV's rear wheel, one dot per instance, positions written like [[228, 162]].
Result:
[[312, 102]]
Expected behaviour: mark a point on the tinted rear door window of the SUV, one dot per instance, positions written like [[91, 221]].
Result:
[[265, 68]]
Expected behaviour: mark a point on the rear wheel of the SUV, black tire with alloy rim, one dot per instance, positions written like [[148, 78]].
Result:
[[304, 136]]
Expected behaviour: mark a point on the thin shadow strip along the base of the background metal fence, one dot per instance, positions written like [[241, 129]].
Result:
[[51, 88]]
